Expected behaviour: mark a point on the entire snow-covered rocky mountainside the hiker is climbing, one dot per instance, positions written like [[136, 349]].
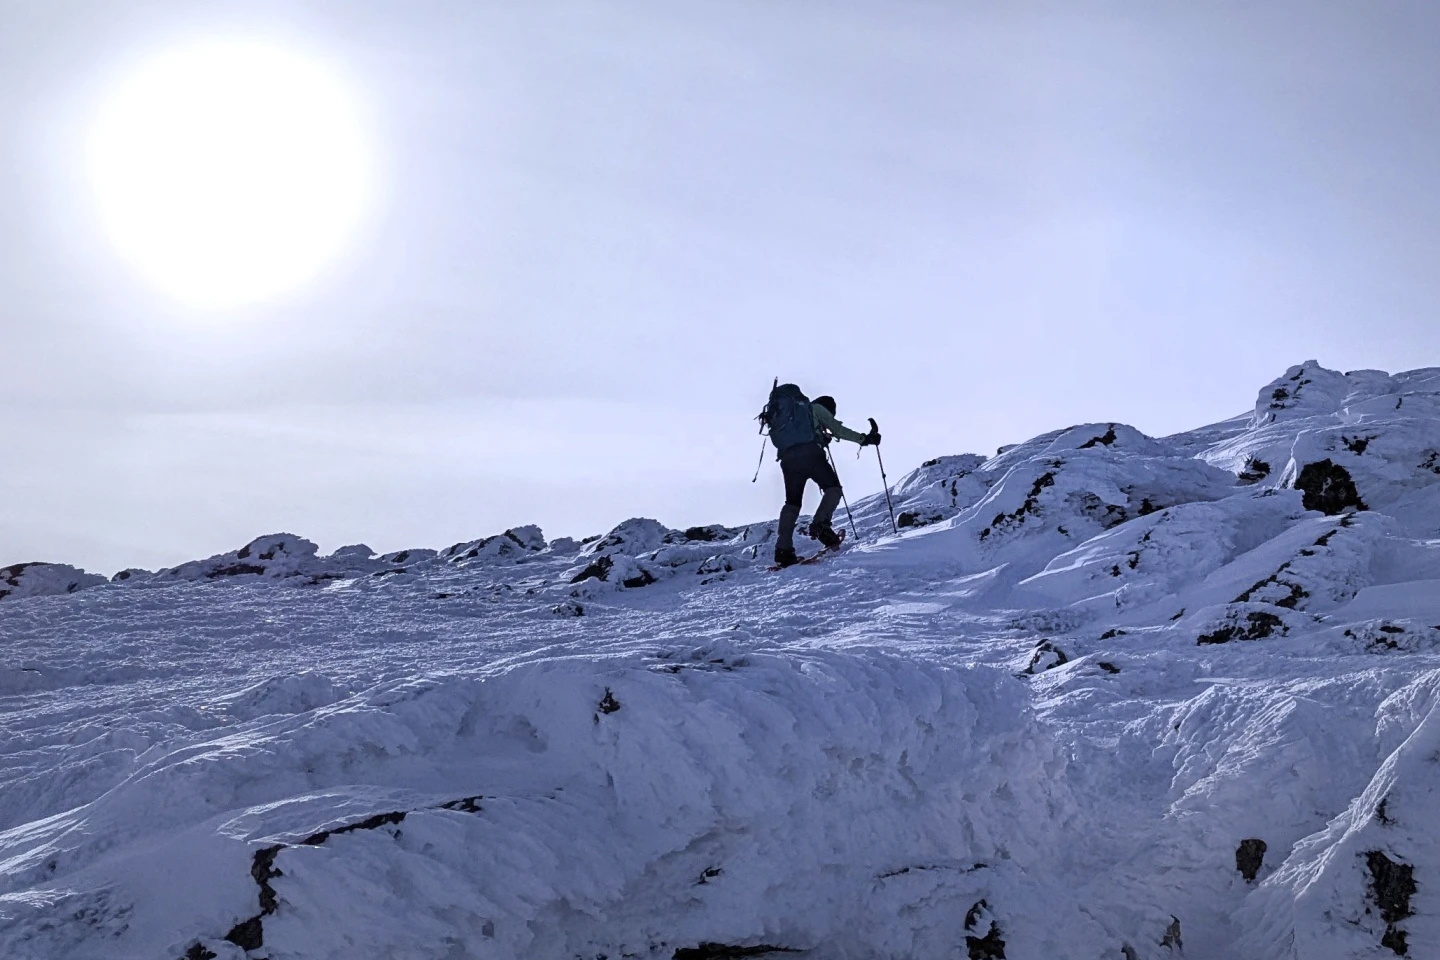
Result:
[[1105, 696]]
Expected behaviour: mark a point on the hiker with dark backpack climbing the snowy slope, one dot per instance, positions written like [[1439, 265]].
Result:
[[801, 431]]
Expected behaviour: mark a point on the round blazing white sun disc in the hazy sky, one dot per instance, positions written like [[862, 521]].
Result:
[[230, 173]]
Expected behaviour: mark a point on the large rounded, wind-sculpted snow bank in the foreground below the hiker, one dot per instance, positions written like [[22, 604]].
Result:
[[578, 808]]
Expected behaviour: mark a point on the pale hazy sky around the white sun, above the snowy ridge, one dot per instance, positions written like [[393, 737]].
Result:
[[603, 228]]
